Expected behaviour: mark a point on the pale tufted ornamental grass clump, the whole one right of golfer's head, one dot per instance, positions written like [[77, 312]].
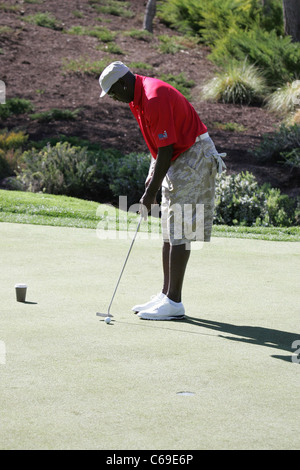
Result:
[[242, 84]]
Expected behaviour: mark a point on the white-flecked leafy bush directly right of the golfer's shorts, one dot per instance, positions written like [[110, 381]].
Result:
[[241, 201]]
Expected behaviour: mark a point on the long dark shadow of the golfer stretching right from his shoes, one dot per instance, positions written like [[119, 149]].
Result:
[[282, 340]]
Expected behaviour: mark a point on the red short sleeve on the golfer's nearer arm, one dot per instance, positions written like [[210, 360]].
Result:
[[159, 115]]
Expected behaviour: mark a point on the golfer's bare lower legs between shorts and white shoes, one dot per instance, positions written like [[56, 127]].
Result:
[[175, 259]]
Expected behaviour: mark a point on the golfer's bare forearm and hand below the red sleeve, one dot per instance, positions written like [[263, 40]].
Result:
[[162, 164]]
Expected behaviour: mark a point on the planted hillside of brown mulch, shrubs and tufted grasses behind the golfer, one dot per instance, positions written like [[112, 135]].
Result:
[[229, 58]]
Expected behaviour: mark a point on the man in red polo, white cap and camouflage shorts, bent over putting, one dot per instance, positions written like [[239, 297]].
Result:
[[184, 165]]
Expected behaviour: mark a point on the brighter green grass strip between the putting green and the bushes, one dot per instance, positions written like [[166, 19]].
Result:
[[62, 211]]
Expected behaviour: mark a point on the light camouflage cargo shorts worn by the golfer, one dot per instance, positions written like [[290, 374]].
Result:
[[188, 194]]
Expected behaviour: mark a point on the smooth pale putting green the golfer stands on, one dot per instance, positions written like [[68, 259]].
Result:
[[69, 381]]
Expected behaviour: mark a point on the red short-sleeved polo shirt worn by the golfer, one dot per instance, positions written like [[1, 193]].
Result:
[[165, 116]]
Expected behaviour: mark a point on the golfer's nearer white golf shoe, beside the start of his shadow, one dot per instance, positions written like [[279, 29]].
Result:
[[165, 310]]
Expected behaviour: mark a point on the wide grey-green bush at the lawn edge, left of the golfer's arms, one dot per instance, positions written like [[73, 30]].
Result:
[[100, 175]]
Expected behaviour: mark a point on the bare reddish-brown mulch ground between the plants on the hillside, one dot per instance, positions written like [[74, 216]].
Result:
[[31, 64]]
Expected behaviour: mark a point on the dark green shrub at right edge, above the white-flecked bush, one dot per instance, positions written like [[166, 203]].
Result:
[[280, 146]]
